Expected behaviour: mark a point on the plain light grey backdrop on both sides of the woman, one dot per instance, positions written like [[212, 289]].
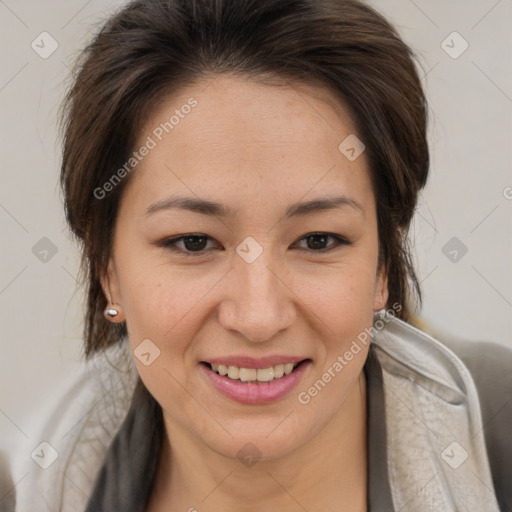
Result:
[[469, 194]]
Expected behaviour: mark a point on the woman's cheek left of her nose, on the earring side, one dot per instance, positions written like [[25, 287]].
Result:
[[164, 306]]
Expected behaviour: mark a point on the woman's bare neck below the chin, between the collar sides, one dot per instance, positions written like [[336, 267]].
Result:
[[329, 472]]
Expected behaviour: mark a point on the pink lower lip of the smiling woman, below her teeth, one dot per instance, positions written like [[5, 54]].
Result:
[[256, 393]]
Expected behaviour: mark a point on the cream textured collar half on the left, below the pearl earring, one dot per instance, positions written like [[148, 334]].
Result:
[[69, 433]]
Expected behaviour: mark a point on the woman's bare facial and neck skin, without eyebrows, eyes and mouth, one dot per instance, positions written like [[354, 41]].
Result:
[[257, 148]]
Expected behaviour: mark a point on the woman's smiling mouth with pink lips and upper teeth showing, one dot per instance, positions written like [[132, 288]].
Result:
[[254, 386]]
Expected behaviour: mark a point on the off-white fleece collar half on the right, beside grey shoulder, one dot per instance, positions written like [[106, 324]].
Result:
[[437, 459]]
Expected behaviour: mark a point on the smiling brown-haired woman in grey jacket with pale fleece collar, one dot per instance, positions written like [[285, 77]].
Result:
[[241, 176]]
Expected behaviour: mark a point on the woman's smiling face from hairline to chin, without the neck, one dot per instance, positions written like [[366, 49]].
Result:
[[254, 278]]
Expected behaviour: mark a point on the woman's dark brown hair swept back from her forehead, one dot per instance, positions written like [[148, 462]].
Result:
[[152, 47]]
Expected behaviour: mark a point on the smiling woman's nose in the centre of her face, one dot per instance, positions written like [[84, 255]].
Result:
[[259, 304]]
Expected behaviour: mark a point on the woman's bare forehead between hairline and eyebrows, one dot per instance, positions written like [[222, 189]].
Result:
[[248, 144]]
